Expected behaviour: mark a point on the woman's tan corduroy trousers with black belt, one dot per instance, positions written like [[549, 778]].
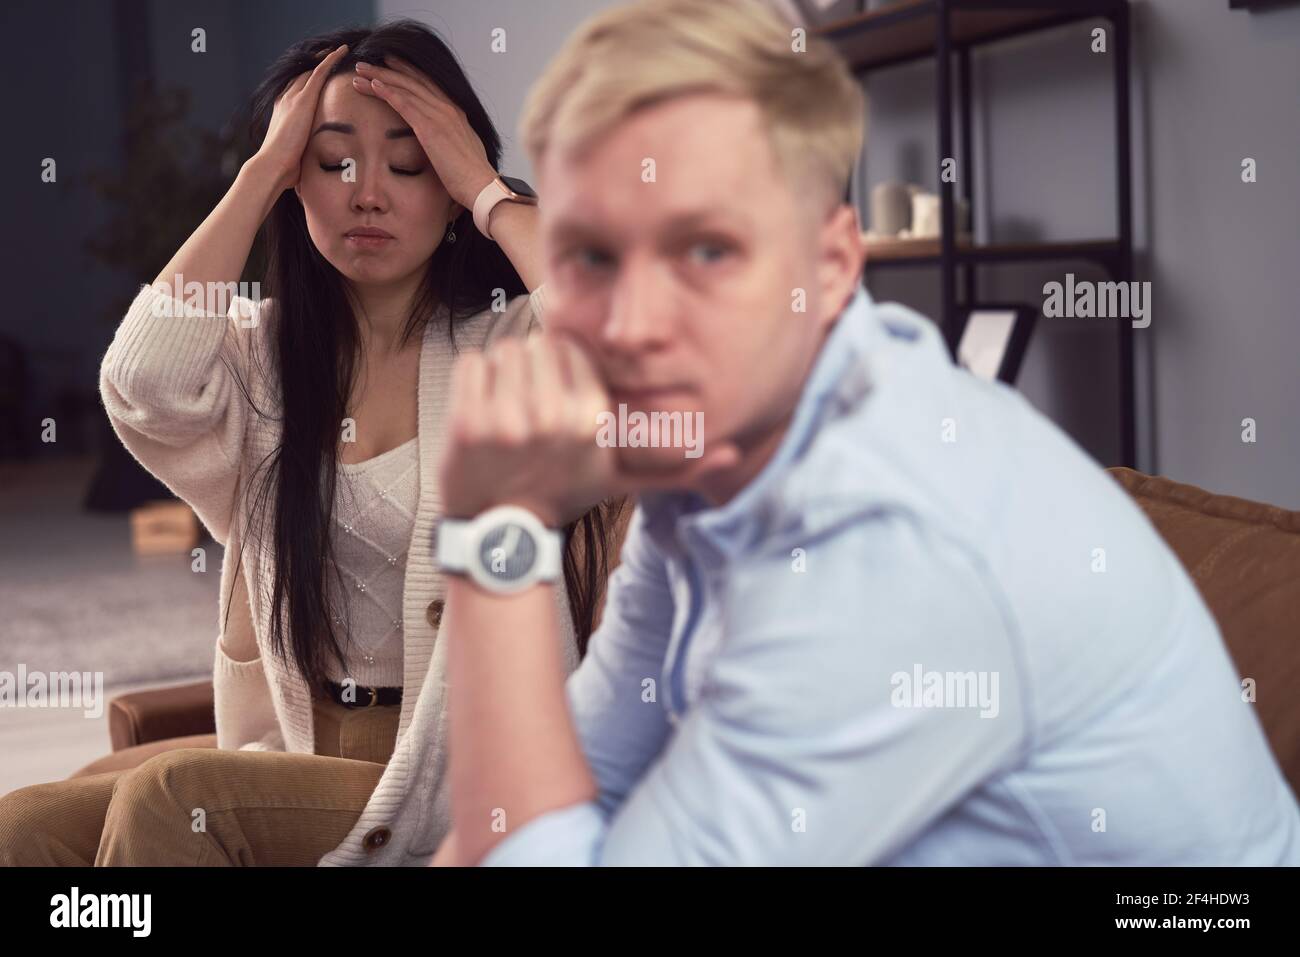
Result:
[[203, 807]]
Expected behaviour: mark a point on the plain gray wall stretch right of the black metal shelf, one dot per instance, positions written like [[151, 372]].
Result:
[[1224, 256]]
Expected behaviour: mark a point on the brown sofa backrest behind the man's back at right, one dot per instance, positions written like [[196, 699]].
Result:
[[1245, 557]]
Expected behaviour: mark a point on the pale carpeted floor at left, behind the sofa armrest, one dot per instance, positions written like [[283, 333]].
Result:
[[75, 597]]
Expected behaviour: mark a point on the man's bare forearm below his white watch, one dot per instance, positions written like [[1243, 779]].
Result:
[[514, 752]]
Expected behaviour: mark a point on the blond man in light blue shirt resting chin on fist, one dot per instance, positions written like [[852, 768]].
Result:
[[855, 622]]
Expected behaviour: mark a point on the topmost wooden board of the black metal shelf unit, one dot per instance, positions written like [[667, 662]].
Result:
[[909, 31]]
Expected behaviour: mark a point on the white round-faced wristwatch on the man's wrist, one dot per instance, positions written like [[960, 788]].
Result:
[[505, 551]]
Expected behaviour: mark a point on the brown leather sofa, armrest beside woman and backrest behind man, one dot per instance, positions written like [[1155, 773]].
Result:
[[1245, 557]]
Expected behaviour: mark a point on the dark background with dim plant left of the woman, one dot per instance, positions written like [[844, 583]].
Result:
[[148, 135]]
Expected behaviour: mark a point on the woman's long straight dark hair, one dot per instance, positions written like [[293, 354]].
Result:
[[315, 343]]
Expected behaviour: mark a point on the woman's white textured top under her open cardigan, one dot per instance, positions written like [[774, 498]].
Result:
[[375, 505]]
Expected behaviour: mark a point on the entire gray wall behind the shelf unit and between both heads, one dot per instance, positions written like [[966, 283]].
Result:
[[1211, 86]]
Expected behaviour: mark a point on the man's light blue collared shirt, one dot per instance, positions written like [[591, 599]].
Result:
[[931, 631]]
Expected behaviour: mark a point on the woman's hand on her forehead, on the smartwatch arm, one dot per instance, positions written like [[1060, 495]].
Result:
[[449, 141]]
